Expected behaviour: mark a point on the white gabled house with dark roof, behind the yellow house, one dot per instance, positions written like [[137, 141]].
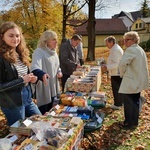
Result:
[[128, 18]]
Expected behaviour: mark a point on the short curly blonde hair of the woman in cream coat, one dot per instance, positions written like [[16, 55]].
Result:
[[133, 35]]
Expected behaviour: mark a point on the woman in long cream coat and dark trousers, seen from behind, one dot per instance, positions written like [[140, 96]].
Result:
[[133, 69]]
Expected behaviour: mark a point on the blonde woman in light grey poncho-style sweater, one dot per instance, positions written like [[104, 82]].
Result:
[[45, 65]]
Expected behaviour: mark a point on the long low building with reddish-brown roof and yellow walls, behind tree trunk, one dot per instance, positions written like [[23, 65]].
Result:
[[103, 28]]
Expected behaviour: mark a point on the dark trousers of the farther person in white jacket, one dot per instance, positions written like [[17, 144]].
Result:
[[115, 83]]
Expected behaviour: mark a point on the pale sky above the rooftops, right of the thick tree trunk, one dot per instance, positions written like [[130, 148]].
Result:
[[122, 5]]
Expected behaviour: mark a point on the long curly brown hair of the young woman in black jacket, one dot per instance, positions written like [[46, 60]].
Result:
[[7, 52]]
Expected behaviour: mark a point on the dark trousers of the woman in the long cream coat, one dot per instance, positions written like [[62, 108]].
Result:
[[131, 108]]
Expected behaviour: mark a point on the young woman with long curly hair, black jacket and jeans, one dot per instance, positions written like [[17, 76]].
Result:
[[15, 91]]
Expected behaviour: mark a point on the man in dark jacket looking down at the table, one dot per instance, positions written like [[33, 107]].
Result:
[[68, 56]]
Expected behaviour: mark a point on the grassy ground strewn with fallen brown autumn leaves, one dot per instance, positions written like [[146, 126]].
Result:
[[112, 137]]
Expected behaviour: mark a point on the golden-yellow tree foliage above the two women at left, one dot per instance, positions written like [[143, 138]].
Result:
[[35, 16]]
